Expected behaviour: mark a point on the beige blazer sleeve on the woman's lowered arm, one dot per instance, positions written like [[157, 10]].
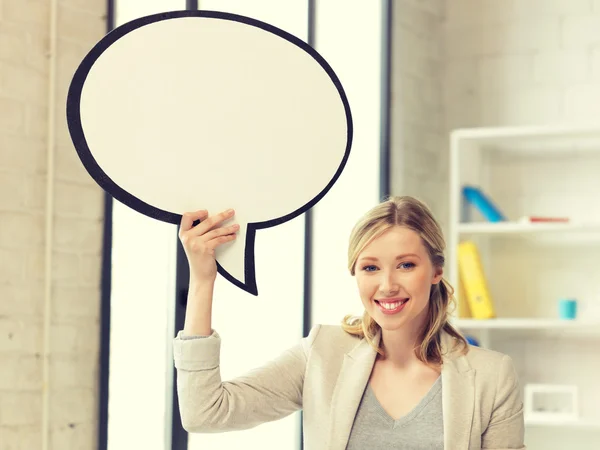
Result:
[[506, 429]]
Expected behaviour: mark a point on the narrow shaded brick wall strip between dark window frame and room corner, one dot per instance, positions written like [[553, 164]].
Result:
[[417, 113]]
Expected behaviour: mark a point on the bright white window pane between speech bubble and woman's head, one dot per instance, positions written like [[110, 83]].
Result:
[[348, 36]]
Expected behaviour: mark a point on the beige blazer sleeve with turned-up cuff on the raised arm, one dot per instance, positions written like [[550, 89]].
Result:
[[207, 404]]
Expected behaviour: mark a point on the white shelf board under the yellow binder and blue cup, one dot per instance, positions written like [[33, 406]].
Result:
[[527, 324]]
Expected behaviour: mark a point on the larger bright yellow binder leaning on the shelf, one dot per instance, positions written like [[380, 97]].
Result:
[[474, 282]]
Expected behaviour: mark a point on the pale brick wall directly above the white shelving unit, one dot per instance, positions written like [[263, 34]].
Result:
[[531, 62]]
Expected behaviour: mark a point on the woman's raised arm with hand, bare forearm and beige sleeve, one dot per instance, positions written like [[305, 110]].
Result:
[[206, 403]]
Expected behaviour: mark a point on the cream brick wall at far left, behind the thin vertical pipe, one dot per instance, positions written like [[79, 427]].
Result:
[[76, 241]]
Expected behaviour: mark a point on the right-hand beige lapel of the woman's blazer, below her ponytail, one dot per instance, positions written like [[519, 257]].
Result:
[[458, 398]]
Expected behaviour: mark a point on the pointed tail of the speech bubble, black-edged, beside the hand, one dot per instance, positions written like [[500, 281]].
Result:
[[237, 263]]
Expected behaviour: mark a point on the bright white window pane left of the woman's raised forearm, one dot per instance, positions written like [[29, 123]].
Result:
[[143, 291]]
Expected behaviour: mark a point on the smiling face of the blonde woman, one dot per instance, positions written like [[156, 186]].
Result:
[[395, 274]]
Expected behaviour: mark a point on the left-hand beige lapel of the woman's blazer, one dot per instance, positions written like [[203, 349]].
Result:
[[352, 380]]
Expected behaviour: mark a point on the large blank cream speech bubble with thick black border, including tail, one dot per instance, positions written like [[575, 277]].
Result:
[[191, 110]]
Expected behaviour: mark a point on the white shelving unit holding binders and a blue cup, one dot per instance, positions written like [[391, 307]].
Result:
[[535, 171]]
